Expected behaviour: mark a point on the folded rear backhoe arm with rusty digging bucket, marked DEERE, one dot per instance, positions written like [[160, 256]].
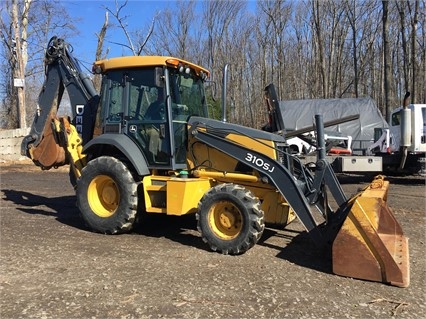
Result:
[[49, 136]]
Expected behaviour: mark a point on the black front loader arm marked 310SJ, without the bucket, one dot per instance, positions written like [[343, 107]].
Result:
[[304, 193]]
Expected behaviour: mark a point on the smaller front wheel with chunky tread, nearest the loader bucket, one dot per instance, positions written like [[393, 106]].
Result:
[[229, 219]]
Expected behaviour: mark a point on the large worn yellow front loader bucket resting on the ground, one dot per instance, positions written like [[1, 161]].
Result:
[[370, 244]]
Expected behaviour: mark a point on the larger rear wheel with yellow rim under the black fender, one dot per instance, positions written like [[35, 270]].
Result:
[[107, 196]]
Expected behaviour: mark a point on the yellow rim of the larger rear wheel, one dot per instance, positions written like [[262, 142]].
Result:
[[103, 196]]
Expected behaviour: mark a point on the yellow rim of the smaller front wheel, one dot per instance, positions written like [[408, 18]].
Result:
[[225, 220]]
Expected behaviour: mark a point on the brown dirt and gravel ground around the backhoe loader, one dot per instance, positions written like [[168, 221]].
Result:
[[52, 266]]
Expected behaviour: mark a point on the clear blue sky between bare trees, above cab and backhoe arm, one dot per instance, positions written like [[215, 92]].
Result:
[[89, 17]]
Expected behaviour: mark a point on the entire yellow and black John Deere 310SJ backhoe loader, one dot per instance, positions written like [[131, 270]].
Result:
[[125, 161]]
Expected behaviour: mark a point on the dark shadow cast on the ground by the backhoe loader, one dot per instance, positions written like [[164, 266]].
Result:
[[299, 249]]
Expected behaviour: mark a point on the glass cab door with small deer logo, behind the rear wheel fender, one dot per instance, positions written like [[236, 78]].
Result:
[[136, 106]]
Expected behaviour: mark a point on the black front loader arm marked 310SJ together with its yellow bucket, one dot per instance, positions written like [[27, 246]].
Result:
[[365, 239]]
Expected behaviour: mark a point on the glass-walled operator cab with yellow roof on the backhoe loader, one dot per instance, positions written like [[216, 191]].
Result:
[[151, 104]]
